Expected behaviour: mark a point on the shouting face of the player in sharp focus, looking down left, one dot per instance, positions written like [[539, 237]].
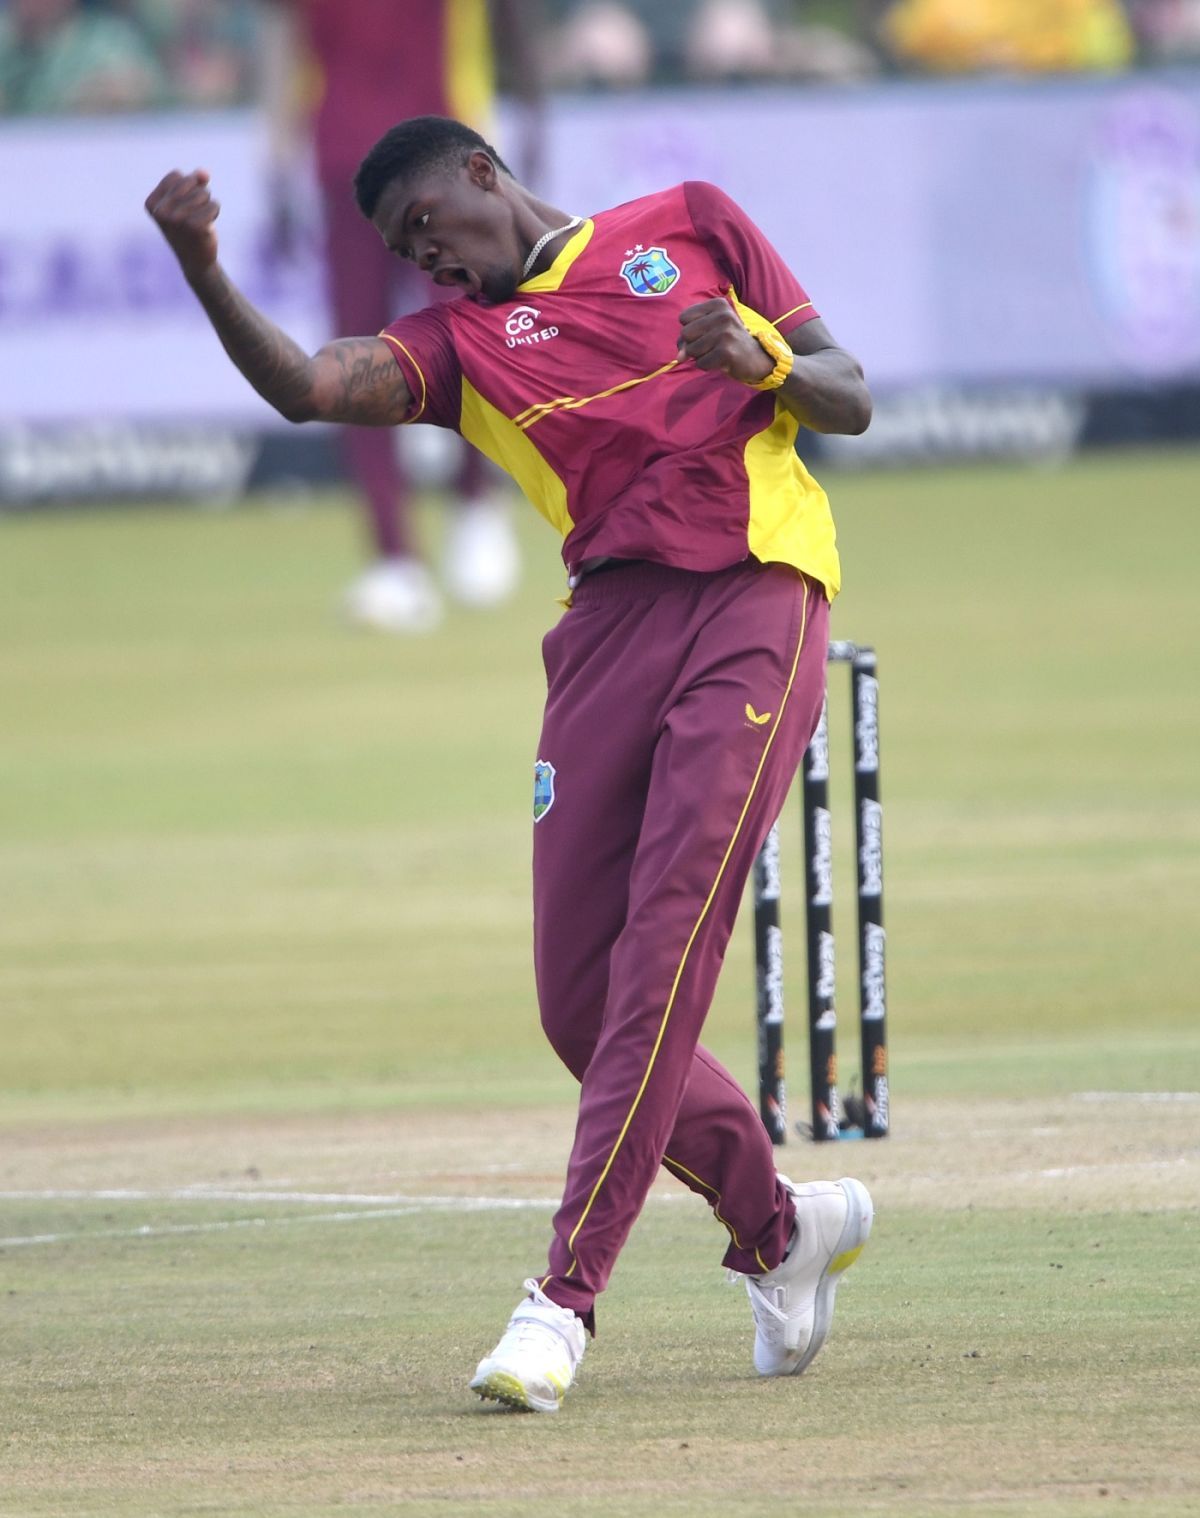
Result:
[[457, 228]]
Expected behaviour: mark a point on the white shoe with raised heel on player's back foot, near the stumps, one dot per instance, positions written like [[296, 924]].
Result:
[[794, 1303]]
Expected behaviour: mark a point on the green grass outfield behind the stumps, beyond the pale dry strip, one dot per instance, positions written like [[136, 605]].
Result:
[[224, 813]]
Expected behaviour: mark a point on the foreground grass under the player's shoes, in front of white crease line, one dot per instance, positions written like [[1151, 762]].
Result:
[[209, 1375]]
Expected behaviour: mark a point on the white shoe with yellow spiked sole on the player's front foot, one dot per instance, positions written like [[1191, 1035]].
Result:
[[535, 1364]]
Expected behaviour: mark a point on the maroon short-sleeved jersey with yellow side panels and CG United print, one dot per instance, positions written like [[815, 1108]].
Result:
[[576, 388]]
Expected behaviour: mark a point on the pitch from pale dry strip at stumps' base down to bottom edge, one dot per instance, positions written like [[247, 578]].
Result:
[[280, 1317]]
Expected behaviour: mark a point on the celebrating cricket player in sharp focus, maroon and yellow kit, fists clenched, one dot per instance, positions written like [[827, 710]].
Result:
[[642, 374]]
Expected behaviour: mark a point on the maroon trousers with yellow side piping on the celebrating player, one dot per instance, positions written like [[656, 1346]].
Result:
[[679, 710]]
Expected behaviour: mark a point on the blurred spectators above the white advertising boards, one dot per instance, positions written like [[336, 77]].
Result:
[[130, 55]]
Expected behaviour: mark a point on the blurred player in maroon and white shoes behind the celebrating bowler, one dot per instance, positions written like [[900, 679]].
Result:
[[368, 65]]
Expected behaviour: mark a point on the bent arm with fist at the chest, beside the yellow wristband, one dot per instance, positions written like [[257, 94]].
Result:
[[826, 389]]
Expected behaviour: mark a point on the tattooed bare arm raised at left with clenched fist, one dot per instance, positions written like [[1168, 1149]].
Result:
[[351, 380]]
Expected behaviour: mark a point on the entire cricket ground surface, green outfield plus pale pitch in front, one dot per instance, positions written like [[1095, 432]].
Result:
[[269, 1027]]
